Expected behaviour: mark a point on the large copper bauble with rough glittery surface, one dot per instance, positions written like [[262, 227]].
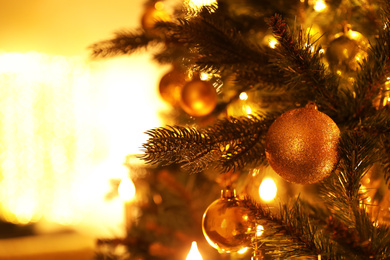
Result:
[[302, 145]]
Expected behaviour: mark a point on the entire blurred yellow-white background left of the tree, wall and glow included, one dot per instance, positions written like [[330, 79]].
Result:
[[65, 124]]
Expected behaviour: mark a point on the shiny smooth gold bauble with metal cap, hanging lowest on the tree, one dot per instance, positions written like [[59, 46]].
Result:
[[227, 225]]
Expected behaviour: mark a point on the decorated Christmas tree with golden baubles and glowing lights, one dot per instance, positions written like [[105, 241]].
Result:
[[295, 90]]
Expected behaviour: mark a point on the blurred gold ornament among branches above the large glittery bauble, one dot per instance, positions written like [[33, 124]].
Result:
[[346, 51]]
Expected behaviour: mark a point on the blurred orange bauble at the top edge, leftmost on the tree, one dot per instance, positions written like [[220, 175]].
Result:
[[152, 15]]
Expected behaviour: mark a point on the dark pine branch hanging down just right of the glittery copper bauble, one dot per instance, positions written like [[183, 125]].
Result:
[[349, 221]]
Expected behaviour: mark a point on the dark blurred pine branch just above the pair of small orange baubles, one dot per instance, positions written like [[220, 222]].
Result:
[[217, 46]]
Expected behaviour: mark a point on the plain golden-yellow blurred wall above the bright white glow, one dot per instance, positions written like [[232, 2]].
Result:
[[65, 27]]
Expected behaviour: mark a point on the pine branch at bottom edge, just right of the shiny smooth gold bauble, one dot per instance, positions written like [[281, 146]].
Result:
[[293, 234]]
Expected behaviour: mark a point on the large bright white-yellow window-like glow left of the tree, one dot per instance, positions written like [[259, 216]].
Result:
[[64, 135]]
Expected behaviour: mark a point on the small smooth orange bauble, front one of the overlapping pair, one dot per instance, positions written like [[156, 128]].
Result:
[[198, 98]]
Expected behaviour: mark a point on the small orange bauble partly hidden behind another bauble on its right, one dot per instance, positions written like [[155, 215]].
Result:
[[171, 85]]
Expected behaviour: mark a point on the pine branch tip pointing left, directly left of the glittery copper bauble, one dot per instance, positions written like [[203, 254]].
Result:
[[231, 144]]
